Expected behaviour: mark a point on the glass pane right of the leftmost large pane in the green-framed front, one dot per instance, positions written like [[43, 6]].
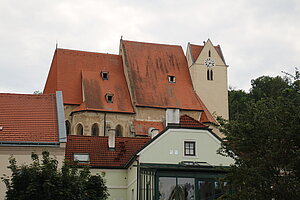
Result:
[[186, 188]]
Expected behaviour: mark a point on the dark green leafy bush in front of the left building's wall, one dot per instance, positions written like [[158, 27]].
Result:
[[43, 180]]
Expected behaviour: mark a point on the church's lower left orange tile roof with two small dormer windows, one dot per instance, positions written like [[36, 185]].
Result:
[[70, 70]]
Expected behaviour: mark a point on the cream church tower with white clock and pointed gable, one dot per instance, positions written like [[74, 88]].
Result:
[[209, 76]]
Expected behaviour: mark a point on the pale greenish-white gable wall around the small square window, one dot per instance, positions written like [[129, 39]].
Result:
[[169, 148]]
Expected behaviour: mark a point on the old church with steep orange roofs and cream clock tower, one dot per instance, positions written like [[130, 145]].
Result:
[[140, 90]]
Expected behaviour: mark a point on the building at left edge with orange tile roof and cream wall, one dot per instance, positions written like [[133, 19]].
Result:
[[30, 123]]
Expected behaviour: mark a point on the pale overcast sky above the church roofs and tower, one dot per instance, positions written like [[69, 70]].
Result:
[[258, 37]]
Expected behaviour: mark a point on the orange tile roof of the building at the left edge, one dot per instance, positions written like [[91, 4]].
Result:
[[28, 118]]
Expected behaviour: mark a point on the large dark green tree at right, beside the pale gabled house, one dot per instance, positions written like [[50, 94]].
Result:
[[264, 141]]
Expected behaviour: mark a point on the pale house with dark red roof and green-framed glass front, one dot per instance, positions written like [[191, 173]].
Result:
[[180, 162]]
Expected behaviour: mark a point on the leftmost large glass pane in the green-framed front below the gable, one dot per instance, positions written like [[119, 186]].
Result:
[[167, 188]]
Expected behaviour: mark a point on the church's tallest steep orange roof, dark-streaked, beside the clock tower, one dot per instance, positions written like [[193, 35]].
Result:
[[149, 66]]
